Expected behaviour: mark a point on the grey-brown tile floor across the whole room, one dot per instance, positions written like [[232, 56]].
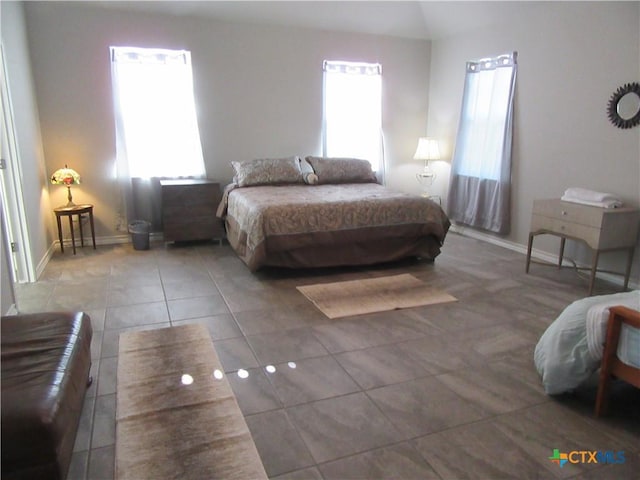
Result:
[[439, 392]]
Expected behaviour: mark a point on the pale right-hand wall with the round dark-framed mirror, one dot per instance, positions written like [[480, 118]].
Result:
[[572, 56]]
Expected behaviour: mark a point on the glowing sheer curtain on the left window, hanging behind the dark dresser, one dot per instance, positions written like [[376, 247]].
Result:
[[157, 132]]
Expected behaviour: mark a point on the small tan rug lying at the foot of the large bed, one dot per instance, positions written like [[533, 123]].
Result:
[[356, 297]]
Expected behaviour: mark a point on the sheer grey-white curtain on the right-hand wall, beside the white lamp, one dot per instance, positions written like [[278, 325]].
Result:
[[479, 192]]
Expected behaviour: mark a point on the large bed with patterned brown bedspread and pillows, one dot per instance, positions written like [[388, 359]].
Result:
[[319, 212]]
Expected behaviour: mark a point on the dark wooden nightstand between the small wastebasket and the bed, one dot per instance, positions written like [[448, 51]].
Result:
[[189, 210]]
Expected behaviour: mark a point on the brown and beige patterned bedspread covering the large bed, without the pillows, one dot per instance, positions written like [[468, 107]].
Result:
[[267, 223]]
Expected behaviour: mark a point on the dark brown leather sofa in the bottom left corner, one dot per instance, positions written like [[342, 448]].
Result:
[[45, 366]]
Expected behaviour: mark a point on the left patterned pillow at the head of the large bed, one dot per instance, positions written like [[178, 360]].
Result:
[[267, 171]]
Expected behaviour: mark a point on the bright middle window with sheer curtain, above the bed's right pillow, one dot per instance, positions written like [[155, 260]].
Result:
[[352, 120]]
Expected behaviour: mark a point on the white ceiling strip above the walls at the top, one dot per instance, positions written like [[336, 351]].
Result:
[[409, 19]]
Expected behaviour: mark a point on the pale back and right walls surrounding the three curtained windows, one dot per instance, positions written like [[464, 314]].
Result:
[[259, 94]]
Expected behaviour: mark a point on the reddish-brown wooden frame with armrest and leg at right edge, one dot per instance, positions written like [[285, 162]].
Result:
[[611, 364]]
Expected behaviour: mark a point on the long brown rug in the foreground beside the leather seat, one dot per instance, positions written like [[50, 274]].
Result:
[[176, 415]]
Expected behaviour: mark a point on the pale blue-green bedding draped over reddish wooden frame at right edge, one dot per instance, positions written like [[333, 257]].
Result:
[[570, 350]]
